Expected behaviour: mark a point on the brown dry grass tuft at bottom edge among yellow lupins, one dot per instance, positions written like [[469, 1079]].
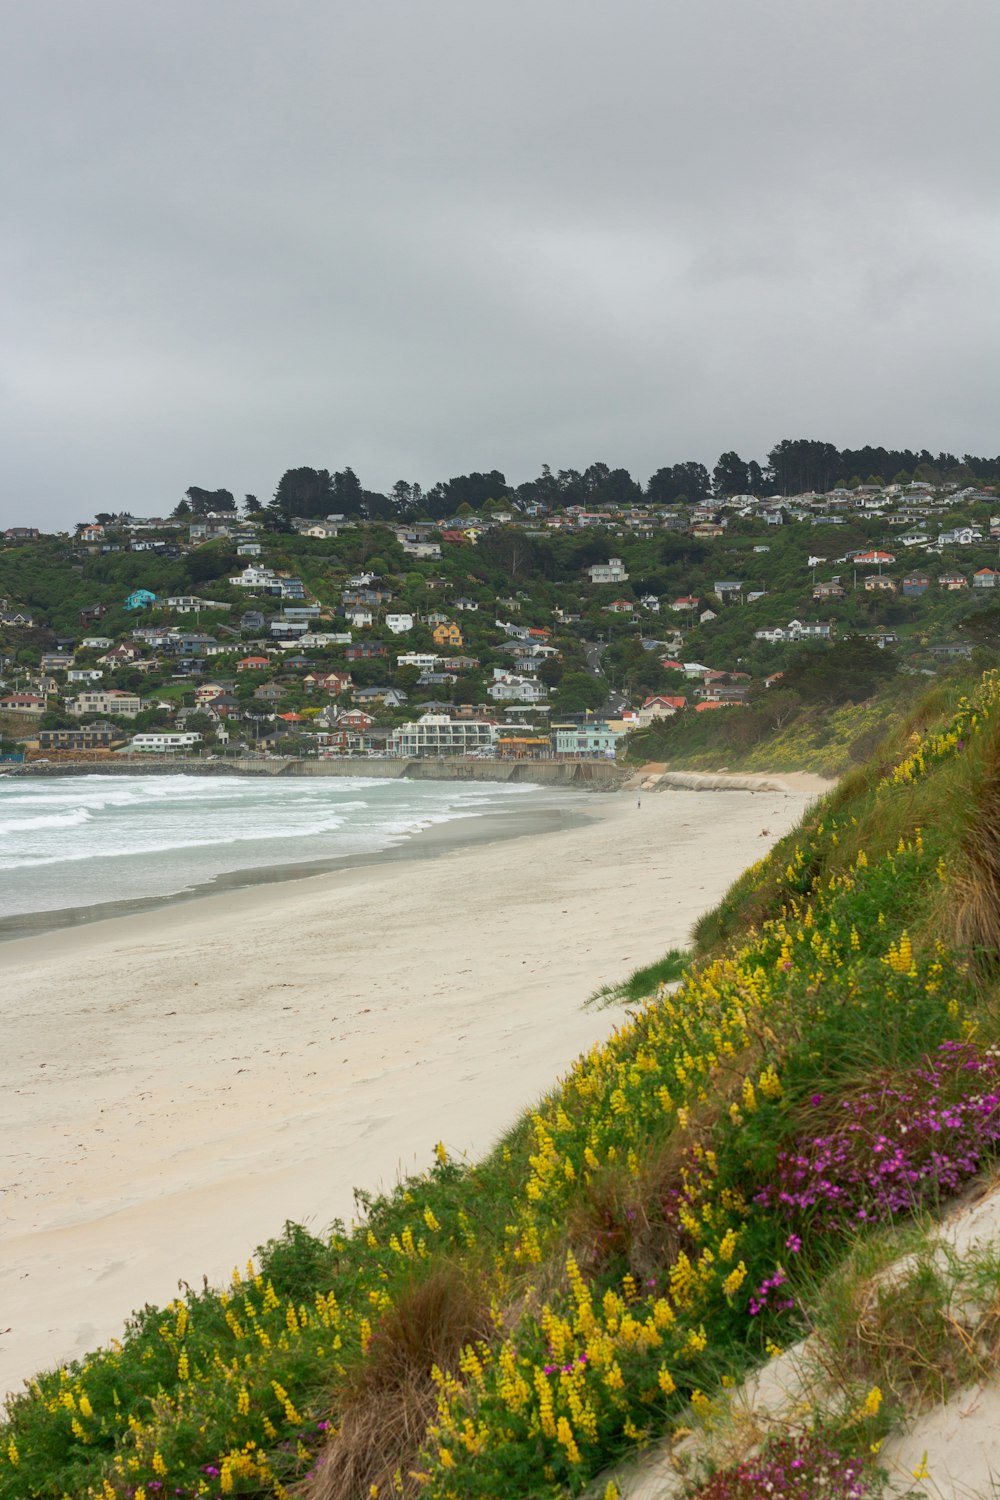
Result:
[[386, 1405]]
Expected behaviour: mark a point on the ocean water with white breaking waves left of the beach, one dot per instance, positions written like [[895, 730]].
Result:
[[88, 841]]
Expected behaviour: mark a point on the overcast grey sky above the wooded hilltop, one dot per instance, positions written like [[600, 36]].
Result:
[[430, 236]]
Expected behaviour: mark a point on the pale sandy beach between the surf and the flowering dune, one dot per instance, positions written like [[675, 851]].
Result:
[[179, 1084]]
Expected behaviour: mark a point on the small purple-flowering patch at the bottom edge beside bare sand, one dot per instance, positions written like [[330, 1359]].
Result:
[[792, 1469]]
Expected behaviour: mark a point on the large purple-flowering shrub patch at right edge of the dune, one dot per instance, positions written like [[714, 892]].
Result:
[[897, 1145]]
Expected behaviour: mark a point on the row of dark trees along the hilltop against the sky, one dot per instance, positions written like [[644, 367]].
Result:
[[792, 467]]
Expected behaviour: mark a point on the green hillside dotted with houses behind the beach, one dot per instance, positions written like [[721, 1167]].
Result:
[[513, 628]]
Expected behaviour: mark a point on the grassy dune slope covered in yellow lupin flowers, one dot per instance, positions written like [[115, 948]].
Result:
[[510, 1328]]
